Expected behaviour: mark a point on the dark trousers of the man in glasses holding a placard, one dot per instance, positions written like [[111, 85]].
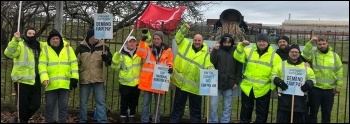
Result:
[[284, 117]]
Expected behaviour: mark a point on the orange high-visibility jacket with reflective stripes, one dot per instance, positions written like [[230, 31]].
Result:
[[149, 62]]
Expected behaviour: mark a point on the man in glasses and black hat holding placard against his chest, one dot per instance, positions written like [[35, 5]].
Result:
[[293, 79]]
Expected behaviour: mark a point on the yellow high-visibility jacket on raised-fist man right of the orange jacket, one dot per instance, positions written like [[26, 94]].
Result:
[[188, 63]]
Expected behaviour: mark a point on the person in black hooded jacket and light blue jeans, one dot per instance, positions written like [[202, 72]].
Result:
[[230, 74]]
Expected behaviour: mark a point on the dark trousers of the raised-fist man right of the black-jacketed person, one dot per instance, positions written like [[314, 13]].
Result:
[[262, 107]]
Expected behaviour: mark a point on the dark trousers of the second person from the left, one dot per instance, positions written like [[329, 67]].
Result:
[[52, 97]]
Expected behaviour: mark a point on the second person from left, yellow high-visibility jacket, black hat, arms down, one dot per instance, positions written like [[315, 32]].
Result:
[[58, 68]]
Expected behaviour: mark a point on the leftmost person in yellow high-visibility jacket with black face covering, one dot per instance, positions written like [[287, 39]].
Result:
[[25, 54]]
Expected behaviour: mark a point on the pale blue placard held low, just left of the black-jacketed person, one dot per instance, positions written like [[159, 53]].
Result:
[[208, 85]]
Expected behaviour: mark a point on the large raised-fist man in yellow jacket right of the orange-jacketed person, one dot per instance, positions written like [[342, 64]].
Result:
[[191, 57]]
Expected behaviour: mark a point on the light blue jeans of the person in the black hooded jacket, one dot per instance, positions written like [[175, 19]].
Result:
[[226, 107]]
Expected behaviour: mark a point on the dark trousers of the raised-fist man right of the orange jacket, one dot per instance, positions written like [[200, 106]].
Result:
[[180, 99]]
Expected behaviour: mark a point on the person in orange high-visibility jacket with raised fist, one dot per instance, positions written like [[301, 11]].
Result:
[[156, 53]]
